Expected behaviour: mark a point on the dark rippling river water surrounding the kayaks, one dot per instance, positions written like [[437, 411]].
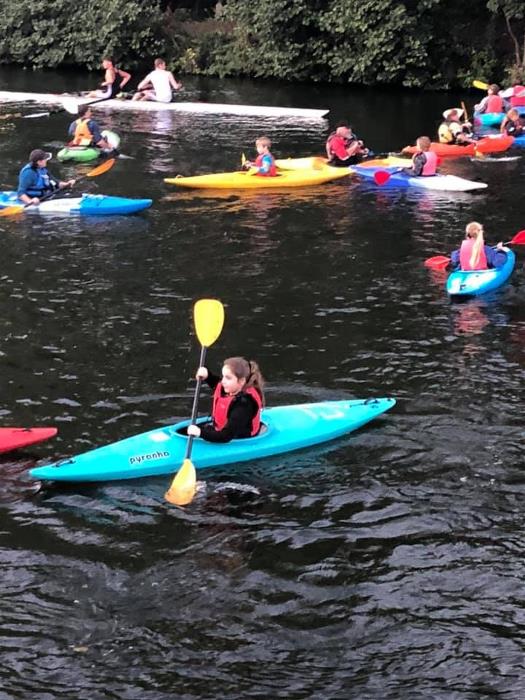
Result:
[[388, 564]]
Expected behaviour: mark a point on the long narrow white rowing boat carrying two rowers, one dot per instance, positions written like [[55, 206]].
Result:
[[195, 107]]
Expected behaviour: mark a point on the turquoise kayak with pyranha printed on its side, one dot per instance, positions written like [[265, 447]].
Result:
[[161, 451]]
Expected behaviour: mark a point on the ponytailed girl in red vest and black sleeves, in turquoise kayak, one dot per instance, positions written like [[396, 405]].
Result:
[[238, 399]]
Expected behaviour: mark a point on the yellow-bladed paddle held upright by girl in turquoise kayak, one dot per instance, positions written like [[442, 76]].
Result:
[[208, 315]]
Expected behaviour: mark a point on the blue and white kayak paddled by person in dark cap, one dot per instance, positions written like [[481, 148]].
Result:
[[89, 204]]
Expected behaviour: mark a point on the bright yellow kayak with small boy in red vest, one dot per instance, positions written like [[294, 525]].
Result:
[[292, 172]]
